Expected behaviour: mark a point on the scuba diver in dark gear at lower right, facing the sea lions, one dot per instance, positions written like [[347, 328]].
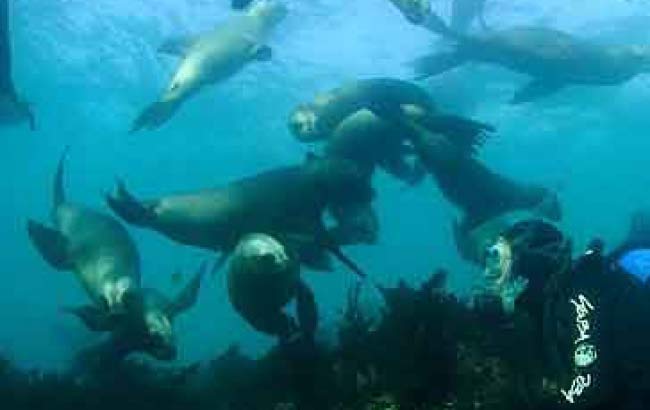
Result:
[[588, 319]]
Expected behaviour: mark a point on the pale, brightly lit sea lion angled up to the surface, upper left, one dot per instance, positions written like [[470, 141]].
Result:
[[212, 57]]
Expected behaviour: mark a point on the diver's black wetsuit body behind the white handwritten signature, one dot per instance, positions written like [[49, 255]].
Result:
[[596, 336]]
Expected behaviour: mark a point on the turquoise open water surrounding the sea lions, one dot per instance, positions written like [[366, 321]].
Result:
[[89, 67]]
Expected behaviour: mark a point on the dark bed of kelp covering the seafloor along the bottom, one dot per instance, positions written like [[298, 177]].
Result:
[[429, 350]]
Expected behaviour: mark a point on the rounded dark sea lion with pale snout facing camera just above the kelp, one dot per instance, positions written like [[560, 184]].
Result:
[[263, 276]]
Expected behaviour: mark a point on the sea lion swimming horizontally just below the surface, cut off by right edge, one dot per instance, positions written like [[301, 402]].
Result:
[[553, 58]]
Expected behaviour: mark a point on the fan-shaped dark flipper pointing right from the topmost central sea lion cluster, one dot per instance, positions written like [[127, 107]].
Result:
[[466, 134]]
